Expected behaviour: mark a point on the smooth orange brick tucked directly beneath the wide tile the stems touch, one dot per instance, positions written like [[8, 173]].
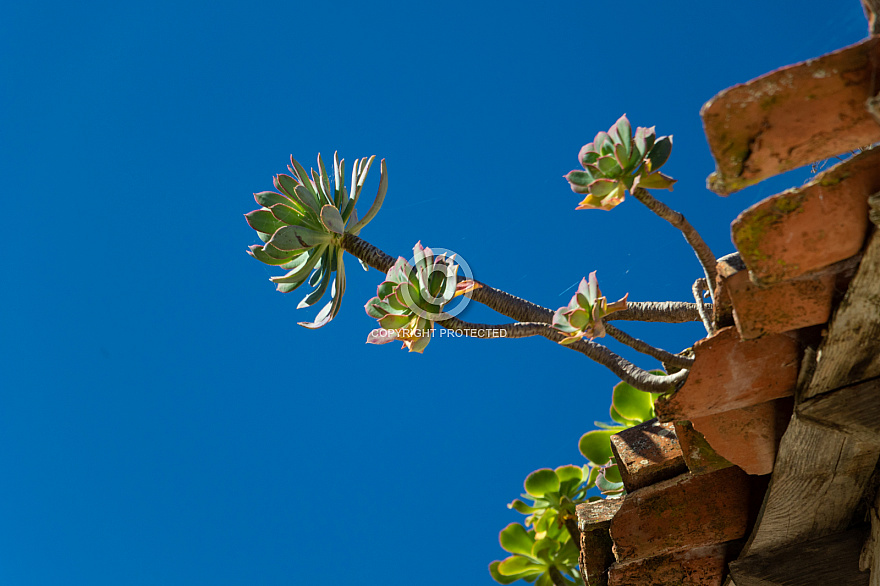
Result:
[[748, 437]]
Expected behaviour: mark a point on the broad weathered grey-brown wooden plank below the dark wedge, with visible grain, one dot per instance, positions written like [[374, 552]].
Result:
[[819, 477]]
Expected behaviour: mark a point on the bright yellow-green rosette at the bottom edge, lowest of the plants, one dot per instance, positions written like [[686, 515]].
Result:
[[536, 560]]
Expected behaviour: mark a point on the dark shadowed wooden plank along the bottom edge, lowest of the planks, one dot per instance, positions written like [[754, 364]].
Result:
[[833, 559]]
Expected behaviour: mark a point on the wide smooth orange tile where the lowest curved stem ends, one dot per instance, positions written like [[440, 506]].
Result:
[[730, 373]]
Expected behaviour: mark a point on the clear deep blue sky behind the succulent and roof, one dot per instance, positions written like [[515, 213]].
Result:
[[163, 418]]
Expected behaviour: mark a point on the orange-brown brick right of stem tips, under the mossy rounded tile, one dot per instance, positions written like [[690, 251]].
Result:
[[781, 307]]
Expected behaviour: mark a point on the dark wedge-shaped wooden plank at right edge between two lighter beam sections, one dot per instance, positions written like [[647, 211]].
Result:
[[854, 410]]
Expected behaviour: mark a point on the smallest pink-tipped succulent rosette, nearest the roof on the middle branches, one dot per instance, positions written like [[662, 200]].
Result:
[[582, 317]]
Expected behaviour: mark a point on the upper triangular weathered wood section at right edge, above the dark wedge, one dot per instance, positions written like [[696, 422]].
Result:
[[850, 352]]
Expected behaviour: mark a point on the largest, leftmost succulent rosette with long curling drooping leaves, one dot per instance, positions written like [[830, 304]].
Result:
[[302, 228]]
